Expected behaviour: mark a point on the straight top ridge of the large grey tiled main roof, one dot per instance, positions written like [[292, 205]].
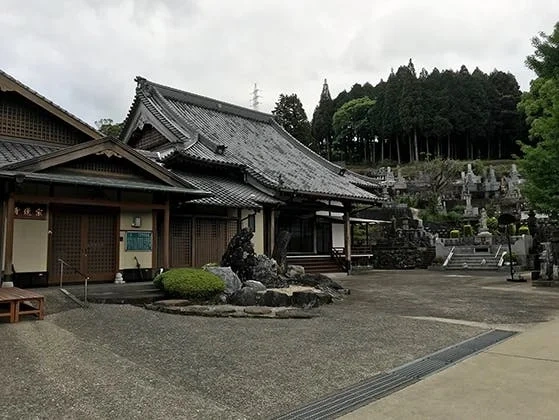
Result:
[[206, 101]]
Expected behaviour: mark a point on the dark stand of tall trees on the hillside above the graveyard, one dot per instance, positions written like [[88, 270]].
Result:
[[411, 117]]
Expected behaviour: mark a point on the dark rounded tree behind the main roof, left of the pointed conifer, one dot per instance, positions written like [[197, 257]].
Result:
[[290, 115]]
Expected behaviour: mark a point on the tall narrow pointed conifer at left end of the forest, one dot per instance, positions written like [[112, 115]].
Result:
[[321, 126]]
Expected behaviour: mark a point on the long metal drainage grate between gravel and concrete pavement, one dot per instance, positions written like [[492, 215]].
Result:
[[386, 383]]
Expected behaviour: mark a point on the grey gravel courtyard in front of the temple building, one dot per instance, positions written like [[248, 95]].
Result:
[[122, 361]]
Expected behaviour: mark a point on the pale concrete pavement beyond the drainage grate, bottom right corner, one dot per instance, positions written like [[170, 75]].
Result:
[[516, 379]]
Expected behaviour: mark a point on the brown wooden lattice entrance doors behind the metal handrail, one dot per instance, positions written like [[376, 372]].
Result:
[[85, 239]]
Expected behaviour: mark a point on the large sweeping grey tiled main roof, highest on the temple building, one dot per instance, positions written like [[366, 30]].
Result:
[[253, 141]]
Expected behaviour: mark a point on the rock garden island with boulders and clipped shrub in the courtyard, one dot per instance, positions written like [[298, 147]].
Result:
[[245, 285]]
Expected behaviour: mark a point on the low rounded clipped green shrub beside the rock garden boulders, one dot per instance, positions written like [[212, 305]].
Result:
[[190, 283]]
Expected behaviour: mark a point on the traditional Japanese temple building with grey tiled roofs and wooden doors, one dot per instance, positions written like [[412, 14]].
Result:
[[186, 174]]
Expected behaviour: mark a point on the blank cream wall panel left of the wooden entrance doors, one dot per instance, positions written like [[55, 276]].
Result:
[[30, 252]]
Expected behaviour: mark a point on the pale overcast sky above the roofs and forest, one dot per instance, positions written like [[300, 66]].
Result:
[[84, 54]]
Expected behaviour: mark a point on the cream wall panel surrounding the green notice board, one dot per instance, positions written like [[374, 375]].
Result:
[[127, 257]]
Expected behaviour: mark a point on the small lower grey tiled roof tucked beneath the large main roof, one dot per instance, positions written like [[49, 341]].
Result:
[[226, 192]]
